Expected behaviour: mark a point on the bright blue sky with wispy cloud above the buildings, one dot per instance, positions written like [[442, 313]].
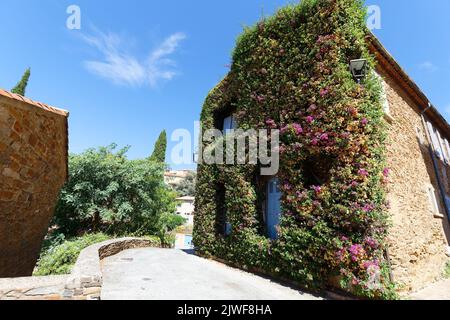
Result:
[[137, 67]]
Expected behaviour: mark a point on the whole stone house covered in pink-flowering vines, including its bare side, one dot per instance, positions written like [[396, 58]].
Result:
[[361, 198]]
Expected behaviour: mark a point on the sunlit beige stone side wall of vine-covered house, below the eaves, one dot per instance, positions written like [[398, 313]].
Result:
[[419, 236]]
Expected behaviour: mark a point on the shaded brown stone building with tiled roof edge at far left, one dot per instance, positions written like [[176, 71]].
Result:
[[33, 168]]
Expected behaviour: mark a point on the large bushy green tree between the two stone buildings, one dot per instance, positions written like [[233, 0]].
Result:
[[108, 193]]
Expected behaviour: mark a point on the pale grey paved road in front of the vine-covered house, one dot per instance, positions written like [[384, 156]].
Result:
[[156, 274]]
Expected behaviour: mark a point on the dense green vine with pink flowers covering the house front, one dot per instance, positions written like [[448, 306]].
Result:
[[291, 72]]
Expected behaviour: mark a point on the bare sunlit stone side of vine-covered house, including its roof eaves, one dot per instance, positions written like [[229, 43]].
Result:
[[419, 193]]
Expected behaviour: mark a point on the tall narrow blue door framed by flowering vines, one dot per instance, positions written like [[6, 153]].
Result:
[[273, 208]]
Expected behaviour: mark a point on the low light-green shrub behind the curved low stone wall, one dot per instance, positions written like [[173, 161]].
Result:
[[60, 259]]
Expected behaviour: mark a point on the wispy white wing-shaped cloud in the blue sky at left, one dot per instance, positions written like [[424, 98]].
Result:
[[123, 68]]
